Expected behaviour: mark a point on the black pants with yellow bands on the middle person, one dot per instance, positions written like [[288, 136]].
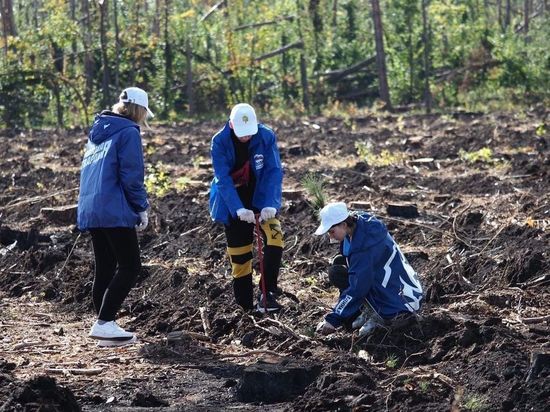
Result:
[[240, 236]]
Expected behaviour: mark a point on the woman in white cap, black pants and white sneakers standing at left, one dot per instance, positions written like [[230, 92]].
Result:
[[112, 205]]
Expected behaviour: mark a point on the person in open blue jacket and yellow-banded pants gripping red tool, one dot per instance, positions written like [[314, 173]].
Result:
[[247, 183]]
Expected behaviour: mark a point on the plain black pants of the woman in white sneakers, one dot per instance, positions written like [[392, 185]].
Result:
[[117, 265]]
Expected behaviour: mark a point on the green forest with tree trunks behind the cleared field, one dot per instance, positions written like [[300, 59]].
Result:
[[64, 60]]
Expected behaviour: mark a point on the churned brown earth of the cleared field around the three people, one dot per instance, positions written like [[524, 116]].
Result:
[[479, 242]]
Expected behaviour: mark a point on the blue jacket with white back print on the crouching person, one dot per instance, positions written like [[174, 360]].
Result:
[[378, 272]]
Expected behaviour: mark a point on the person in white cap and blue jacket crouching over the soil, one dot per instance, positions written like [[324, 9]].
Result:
[[372, 274]]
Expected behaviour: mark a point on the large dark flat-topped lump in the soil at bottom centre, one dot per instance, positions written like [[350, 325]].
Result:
[[275, 383]]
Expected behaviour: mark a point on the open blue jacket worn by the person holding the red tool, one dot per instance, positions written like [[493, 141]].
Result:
[[265, 163]]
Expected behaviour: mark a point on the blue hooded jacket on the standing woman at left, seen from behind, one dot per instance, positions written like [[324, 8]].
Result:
[[112, 174]]
